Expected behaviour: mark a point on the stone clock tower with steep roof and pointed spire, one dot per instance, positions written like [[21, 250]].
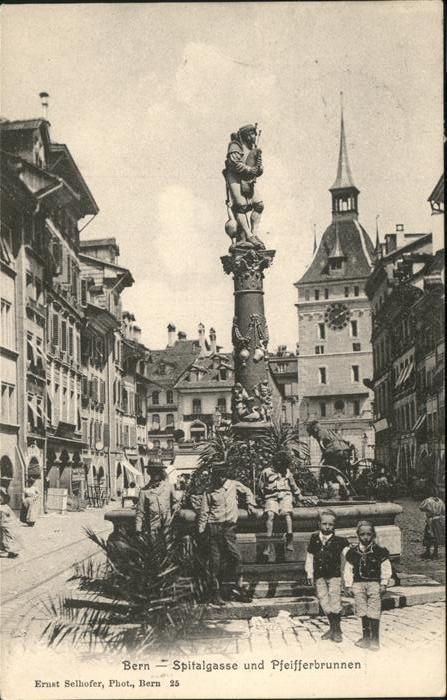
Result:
[[334, 323]]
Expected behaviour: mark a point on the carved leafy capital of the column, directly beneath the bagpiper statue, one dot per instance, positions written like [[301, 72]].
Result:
[[247, 267]]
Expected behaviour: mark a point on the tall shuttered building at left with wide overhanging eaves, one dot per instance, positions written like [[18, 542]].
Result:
[[48, 311]]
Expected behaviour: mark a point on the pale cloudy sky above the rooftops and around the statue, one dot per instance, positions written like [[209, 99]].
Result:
[[146, 96]]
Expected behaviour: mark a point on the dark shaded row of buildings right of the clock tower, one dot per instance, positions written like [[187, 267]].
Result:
[[406, 290]]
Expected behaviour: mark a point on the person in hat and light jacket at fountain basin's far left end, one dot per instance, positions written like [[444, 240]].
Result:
[[156, 501]]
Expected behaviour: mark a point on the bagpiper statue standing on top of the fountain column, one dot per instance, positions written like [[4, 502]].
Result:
[[243, 166]]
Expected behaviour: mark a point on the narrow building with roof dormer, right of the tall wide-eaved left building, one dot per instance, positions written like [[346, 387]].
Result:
[[108, 412]]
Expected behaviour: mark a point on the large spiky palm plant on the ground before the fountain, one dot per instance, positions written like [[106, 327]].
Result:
[[146, 594]]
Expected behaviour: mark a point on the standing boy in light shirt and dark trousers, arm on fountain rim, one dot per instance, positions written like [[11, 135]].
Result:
[[219, 512]]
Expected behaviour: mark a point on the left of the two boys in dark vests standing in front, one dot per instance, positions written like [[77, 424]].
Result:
[[323, 568]]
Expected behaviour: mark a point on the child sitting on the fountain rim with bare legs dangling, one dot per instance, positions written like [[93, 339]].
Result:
[[277, 487]]
